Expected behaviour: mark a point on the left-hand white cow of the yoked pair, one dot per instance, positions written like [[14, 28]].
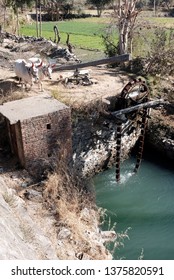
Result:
[[25, 72]]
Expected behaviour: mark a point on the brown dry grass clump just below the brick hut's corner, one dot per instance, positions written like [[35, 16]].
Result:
[[64, 191]]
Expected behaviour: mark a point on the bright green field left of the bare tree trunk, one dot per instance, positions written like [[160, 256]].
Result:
[[84, 33]]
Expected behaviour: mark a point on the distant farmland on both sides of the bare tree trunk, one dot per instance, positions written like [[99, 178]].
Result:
[[86, 33]]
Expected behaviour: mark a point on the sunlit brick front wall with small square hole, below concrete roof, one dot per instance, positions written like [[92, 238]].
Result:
[[46, 139]]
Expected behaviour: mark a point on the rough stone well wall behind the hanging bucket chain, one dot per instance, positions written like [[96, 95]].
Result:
[[94, 143]]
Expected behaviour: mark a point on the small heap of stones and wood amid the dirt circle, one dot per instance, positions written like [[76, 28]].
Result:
[[79, 77]]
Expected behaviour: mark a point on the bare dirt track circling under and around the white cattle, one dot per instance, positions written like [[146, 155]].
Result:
[[106, 82]]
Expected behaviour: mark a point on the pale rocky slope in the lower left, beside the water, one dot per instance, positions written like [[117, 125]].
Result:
[[30, 229]]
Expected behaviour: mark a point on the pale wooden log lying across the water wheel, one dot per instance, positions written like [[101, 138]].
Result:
[[149, 104]]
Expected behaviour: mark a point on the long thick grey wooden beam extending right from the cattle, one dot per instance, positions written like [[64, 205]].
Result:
[[110, 60]]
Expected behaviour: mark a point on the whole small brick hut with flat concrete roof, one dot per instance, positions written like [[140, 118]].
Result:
[[39, 130]]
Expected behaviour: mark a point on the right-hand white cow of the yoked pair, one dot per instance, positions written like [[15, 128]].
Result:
[[44, 70]]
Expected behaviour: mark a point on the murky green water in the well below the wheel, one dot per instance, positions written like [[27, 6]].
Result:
[[143, 202]]
